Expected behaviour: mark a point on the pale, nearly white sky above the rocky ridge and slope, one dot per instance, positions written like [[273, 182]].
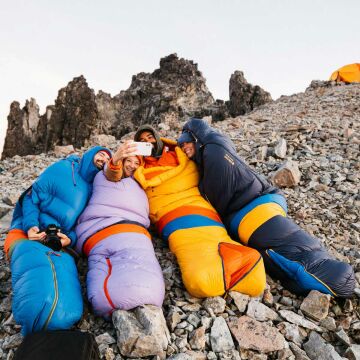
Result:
[[280, 45]]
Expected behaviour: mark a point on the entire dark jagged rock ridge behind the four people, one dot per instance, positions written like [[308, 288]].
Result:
[[167, 96]]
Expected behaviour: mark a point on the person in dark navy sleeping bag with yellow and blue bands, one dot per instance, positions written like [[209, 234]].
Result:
[[254, 212]]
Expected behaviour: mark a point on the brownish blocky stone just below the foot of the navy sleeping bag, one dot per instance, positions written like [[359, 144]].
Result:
[[316, 305]]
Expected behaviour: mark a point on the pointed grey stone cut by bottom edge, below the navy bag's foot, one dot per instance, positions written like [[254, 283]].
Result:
[[317, 348]]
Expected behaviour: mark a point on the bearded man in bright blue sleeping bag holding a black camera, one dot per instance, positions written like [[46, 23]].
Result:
[[46, 289]]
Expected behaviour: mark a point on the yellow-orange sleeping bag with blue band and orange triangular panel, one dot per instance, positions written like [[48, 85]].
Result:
[[193, 227]]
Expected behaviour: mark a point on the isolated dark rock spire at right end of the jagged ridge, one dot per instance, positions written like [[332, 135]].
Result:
[[245, 97]]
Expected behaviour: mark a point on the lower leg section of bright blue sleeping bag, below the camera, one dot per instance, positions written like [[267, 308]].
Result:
[[46, 289]]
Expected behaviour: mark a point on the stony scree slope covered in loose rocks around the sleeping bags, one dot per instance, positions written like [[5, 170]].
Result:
[[314, 134]]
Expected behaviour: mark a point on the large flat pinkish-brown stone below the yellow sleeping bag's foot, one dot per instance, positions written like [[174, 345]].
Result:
[[254, 335]]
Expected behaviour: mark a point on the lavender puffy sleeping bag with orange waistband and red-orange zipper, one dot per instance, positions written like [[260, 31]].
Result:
[[123, 270]]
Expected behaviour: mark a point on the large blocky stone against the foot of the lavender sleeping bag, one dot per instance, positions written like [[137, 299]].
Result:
[[142, 332]]
